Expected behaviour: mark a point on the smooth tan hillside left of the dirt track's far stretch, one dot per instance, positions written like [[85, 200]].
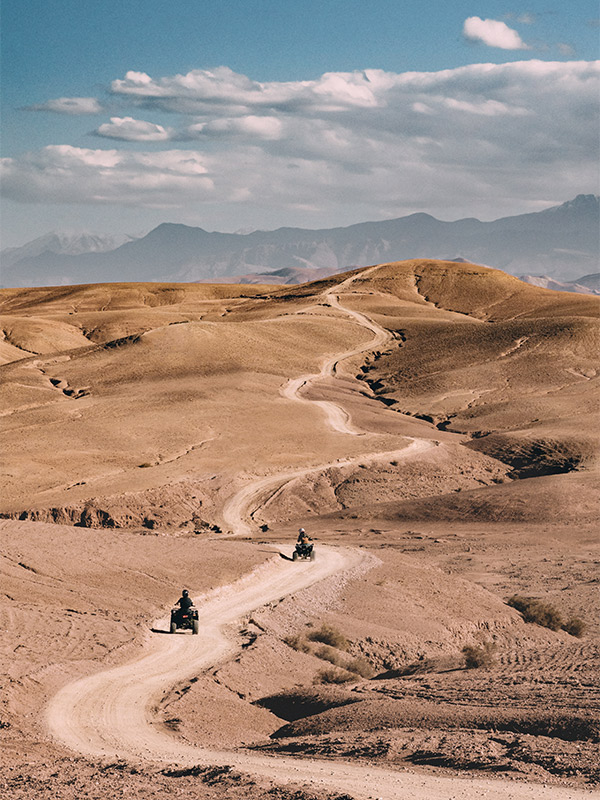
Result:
[[160, 402]]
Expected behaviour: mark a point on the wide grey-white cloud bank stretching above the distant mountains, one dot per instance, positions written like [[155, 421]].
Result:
[[455, 142]]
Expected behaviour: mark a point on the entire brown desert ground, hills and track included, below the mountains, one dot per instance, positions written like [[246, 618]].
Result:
[[434, 423]]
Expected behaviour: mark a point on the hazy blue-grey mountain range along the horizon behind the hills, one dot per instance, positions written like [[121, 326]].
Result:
[[562, 243]]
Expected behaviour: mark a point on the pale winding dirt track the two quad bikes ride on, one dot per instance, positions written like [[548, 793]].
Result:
[[111, 714]]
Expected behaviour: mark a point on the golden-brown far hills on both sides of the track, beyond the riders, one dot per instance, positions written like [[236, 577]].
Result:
[[123, 388]]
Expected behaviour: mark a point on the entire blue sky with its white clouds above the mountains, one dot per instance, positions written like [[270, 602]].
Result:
[[253, 114]]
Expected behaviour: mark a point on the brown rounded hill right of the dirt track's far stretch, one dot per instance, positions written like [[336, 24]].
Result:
[[516, 366]]
